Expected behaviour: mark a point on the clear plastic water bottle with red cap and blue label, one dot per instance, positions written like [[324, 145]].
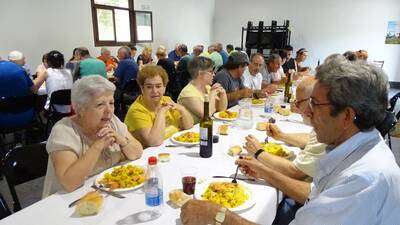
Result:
[[153, 186]]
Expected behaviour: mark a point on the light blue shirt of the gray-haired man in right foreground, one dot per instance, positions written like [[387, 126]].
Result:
[[351, 188]]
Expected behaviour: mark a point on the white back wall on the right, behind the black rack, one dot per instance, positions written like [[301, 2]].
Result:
[[321, 26]]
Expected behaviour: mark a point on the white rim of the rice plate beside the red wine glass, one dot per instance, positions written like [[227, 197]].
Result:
[[201, 188]]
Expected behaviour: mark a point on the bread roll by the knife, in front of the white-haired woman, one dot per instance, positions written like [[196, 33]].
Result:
[[90, 204]]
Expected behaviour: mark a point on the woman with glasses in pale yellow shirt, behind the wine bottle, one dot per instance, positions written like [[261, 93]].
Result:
[[192, 96]]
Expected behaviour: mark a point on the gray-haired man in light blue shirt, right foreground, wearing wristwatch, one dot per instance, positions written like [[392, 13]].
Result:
[[357, 181]]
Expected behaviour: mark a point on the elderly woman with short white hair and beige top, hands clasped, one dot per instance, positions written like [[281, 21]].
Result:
[[92, 140]]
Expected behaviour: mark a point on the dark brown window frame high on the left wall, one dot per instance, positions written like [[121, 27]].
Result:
[[132, 24]]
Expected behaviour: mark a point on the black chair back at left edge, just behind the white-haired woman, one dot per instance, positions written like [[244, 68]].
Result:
[[23, 164]]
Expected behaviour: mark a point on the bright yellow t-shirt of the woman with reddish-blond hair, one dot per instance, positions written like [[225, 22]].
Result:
[[139, 117]]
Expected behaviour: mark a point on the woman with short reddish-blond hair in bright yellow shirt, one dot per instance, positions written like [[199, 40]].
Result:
[[154, 117]]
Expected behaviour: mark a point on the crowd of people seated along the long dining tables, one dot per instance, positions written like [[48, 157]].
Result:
[[344, 165]]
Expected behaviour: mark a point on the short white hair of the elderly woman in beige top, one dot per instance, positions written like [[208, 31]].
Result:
[[85, 88]]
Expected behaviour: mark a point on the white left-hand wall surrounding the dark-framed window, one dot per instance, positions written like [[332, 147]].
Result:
[[35, 27]]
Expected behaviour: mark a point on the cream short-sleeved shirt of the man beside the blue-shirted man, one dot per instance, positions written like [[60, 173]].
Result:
[[307, 159]]
